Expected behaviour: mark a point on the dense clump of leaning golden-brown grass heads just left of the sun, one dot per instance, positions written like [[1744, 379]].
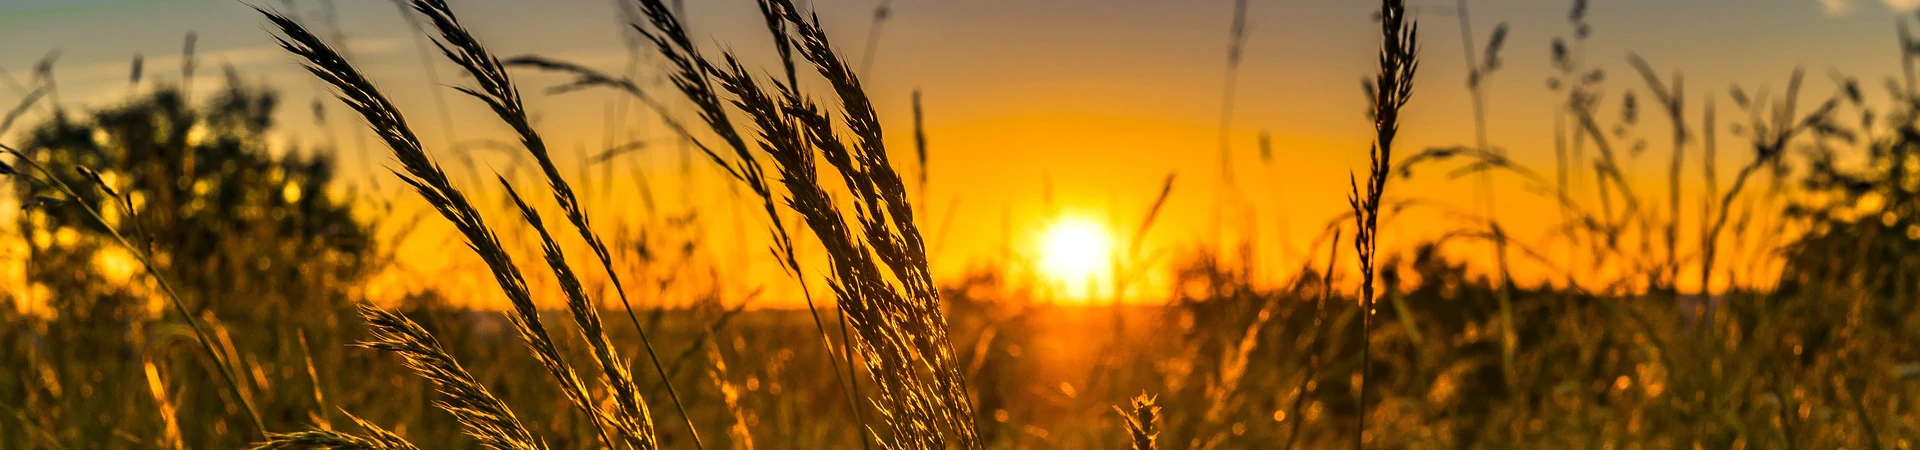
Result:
[[876, 262]]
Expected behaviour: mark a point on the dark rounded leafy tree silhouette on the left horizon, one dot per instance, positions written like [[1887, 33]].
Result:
[[226, 218]]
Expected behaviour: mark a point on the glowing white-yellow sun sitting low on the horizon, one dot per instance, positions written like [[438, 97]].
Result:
[[1076, 255]]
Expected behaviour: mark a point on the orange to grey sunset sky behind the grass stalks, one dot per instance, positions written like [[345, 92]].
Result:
[[1038, 112]]
